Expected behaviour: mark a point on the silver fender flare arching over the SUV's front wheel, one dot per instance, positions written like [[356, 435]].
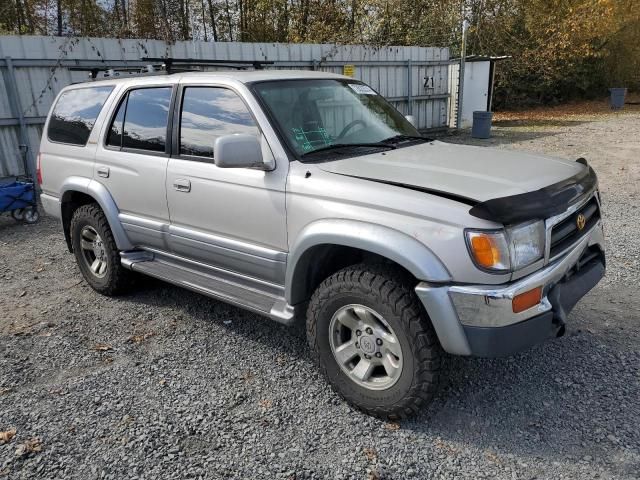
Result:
[[399, 247]]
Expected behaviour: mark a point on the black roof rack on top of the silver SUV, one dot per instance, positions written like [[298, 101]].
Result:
[[159, 66]]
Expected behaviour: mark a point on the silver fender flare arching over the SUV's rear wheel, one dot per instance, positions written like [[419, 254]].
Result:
[[102, 196]]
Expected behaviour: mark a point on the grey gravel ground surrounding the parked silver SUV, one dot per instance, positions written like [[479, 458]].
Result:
[[165, 383]]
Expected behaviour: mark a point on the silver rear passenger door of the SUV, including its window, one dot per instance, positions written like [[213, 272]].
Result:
[[131, 162]]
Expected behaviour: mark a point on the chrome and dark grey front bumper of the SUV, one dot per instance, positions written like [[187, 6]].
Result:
[[479, 319]]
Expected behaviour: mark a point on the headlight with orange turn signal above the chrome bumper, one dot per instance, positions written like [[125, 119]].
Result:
[[509, 249]]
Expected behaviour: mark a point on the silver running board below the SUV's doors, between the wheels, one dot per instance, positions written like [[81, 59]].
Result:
[[216, 284]]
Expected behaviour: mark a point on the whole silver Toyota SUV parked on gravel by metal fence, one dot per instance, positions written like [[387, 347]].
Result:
[[306, 195]]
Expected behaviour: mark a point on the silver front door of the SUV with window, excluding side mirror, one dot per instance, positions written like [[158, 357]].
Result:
[[230, 218]]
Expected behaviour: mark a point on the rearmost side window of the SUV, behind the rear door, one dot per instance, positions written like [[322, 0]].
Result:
[[75, 114]]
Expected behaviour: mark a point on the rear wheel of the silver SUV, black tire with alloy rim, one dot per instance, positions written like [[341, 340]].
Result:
[[108, 277]]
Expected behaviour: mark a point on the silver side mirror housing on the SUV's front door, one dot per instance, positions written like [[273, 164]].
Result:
[[238, 150]]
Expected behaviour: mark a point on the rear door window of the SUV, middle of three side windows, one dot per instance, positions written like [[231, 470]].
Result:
[[141, 120]]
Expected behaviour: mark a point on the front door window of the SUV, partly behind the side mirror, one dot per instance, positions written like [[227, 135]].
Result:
[[208, 113]]
